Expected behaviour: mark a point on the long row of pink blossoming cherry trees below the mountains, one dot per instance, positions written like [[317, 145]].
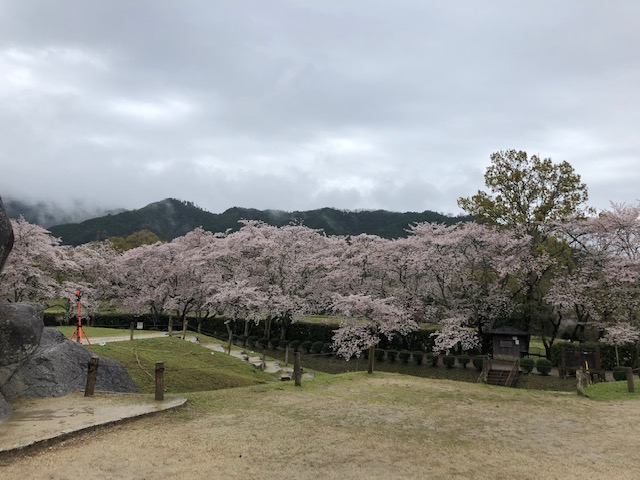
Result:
[[464, 277]]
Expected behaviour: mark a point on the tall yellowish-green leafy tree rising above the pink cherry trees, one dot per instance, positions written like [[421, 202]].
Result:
[[531, 192]]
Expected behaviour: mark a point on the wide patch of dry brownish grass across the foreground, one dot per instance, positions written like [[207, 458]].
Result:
[[359, 426]]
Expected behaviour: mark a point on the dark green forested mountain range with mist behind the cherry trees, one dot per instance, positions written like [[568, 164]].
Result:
[[171, 218]]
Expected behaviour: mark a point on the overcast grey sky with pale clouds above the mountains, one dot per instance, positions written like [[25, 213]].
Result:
[[296, 105]]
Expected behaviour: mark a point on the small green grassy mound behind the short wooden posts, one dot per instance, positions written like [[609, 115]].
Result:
[[188, 366]]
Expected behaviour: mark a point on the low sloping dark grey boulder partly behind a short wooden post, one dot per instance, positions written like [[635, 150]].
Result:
[[59, 366]]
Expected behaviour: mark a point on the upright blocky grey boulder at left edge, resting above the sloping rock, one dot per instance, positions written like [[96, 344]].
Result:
[[20, 331]]
